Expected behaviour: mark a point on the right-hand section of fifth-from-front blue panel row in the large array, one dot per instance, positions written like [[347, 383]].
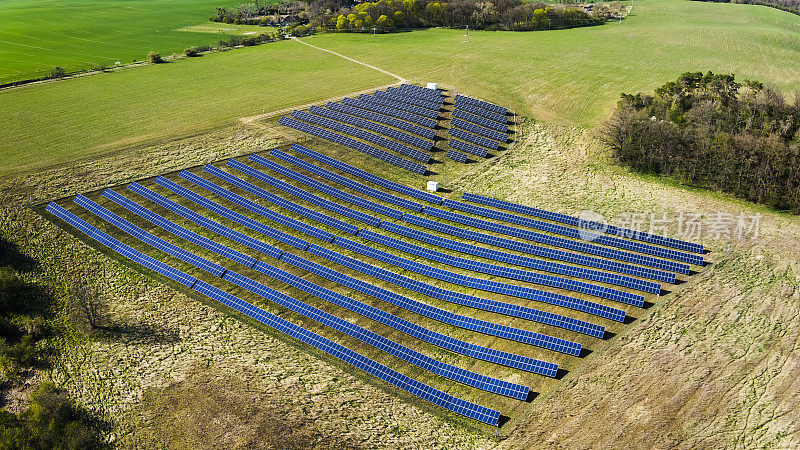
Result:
[[495, 306]]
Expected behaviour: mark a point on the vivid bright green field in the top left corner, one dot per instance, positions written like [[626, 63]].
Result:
[[37, 35]]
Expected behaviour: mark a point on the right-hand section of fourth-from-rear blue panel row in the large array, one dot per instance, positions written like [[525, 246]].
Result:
[[545, 252]]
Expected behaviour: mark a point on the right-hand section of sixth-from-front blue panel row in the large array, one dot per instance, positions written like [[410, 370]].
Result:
[[478, 283]]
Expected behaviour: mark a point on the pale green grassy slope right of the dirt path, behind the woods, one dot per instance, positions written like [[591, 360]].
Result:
[[575, 76]]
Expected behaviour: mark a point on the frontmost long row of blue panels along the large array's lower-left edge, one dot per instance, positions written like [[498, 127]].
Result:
[[397, 379]]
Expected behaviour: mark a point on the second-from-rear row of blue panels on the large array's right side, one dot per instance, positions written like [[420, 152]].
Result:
[[574, 232]]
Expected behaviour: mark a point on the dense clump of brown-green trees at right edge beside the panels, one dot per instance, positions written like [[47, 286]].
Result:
[[707, 130]]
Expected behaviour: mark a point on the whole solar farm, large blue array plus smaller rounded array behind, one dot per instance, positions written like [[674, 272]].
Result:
[[471, 304]]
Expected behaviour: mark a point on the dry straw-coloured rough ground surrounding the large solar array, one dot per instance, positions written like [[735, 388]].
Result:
[[712, 364]]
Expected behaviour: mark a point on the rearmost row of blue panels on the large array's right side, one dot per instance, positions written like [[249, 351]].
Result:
[[574, 221]]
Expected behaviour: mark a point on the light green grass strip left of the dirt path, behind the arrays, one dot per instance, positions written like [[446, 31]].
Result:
[[53, 123]]
